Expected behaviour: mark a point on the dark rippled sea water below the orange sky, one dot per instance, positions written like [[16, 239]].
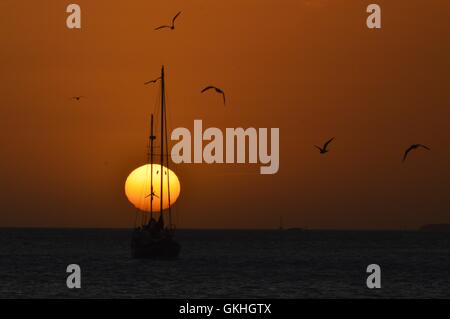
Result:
[[227, 264]]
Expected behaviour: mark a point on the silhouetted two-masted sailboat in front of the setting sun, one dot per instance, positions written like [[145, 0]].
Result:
[[153, 238]]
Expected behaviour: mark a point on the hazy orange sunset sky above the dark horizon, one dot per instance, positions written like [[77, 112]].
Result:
[[311, 68]]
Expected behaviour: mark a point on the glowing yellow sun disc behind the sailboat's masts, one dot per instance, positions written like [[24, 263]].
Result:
[[137, 187]]
